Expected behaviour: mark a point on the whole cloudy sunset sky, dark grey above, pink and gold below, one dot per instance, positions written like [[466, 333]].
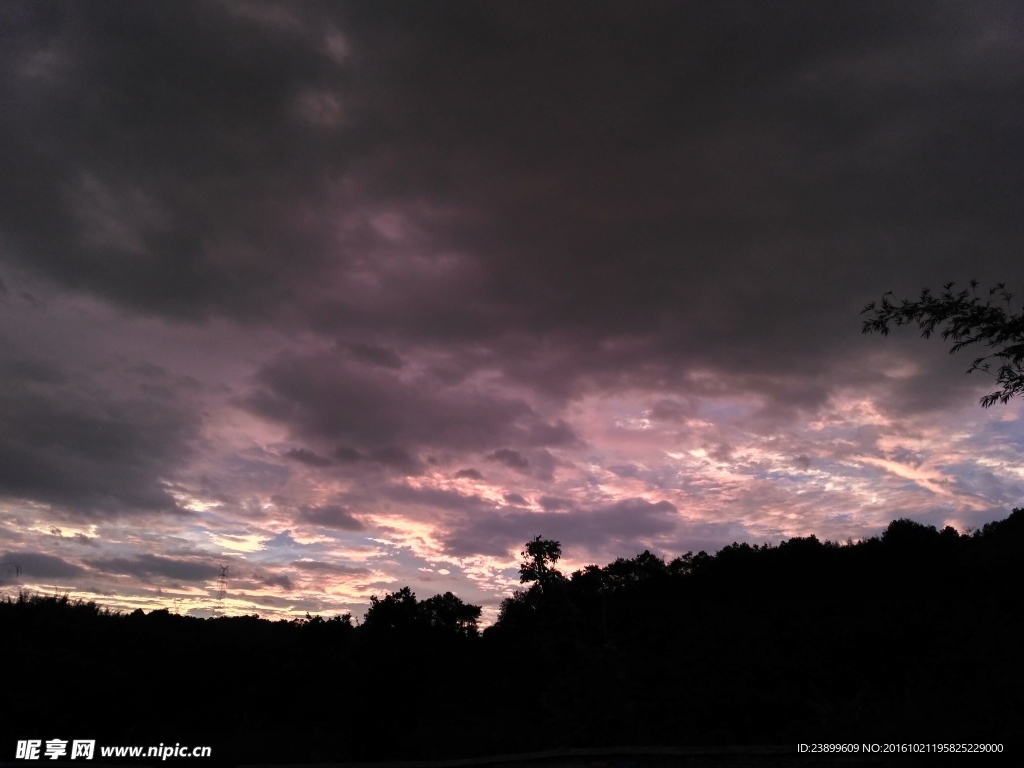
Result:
[[352, 296]]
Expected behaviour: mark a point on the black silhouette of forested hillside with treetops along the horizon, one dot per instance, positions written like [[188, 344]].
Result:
[[912, 636]]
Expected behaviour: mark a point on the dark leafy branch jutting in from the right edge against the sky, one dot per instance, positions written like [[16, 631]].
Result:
[[967, 320]]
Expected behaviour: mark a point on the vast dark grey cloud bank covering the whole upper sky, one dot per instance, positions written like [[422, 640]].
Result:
[[659, 190]]
